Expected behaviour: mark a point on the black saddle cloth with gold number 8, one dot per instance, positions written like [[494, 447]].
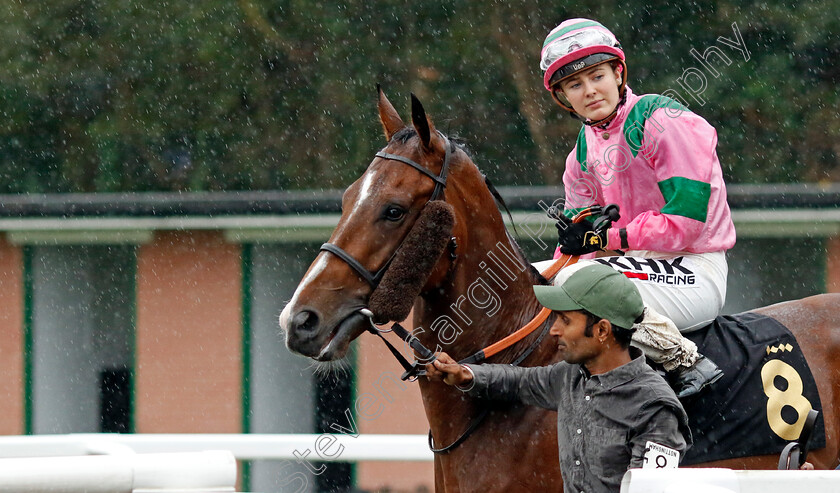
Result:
[[760, 403]]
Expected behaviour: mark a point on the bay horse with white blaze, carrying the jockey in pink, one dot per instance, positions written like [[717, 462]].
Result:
[[515, 446]]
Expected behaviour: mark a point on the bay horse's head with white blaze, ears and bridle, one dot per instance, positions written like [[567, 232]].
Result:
[[388, 245]]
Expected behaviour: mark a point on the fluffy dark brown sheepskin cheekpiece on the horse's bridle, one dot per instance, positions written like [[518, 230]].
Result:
[[413, 263]]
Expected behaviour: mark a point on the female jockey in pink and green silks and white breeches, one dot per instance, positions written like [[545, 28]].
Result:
[[656, 160]]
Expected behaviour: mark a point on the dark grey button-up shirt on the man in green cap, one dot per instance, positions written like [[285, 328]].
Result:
[[604, 421]]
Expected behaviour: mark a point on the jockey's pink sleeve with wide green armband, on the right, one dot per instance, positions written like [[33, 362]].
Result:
[[682, 150]]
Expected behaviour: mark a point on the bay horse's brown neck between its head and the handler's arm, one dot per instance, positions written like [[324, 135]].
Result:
[[487, 296]]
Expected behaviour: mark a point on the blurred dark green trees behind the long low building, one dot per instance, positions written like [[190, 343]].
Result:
[[117, 95]]
